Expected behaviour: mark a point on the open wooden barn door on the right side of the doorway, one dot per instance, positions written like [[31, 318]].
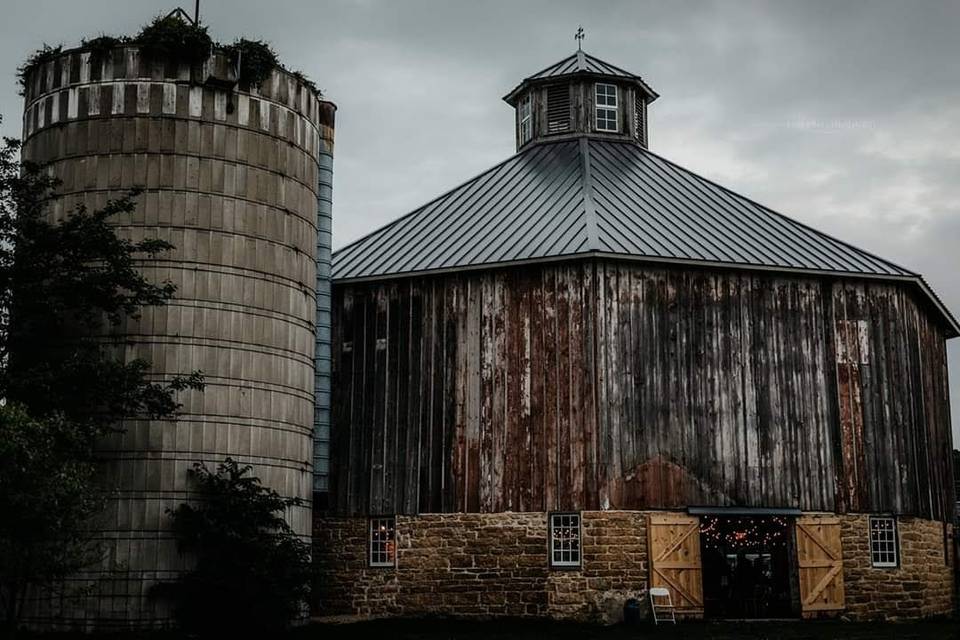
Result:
[[820, 562]]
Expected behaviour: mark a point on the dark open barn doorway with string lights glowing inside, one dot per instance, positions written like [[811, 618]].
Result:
[[747, 567]]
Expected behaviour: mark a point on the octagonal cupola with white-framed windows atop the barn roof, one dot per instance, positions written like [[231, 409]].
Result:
[[581, 95]]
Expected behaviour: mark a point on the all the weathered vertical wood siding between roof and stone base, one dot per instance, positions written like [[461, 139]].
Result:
[[594, 385]]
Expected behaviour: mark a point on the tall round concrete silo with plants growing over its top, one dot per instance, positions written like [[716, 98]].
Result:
[[230, 176]]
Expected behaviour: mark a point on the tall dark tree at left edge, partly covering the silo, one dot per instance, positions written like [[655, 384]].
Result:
[[63, 285]]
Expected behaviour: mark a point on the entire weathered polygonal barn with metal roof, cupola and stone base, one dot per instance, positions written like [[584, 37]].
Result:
[[588, 371]]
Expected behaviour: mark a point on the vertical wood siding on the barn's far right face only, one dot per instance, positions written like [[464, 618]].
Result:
[[894, 404]]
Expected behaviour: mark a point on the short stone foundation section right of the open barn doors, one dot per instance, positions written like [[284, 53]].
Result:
[[920, 587]]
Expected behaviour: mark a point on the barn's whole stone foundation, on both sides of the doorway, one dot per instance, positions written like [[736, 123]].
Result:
[[490, 565]]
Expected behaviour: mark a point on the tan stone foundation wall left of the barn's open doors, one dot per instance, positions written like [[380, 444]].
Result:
[[482, 565]]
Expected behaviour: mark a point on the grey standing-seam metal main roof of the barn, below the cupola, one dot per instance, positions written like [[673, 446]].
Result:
[[592, 196]]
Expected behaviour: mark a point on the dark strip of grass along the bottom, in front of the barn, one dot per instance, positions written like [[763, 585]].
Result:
[[536, 630]]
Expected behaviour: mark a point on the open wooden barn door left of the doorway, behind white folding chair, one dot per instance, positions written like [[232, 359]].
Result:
[[674, 541]]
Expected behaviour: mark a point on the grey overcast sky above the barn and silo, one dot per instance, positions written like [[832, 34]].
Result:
[[844, 115]]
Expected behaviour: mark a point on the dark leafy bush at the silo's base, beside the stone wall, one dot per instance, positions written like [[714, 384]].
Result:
[[252, 572]]
